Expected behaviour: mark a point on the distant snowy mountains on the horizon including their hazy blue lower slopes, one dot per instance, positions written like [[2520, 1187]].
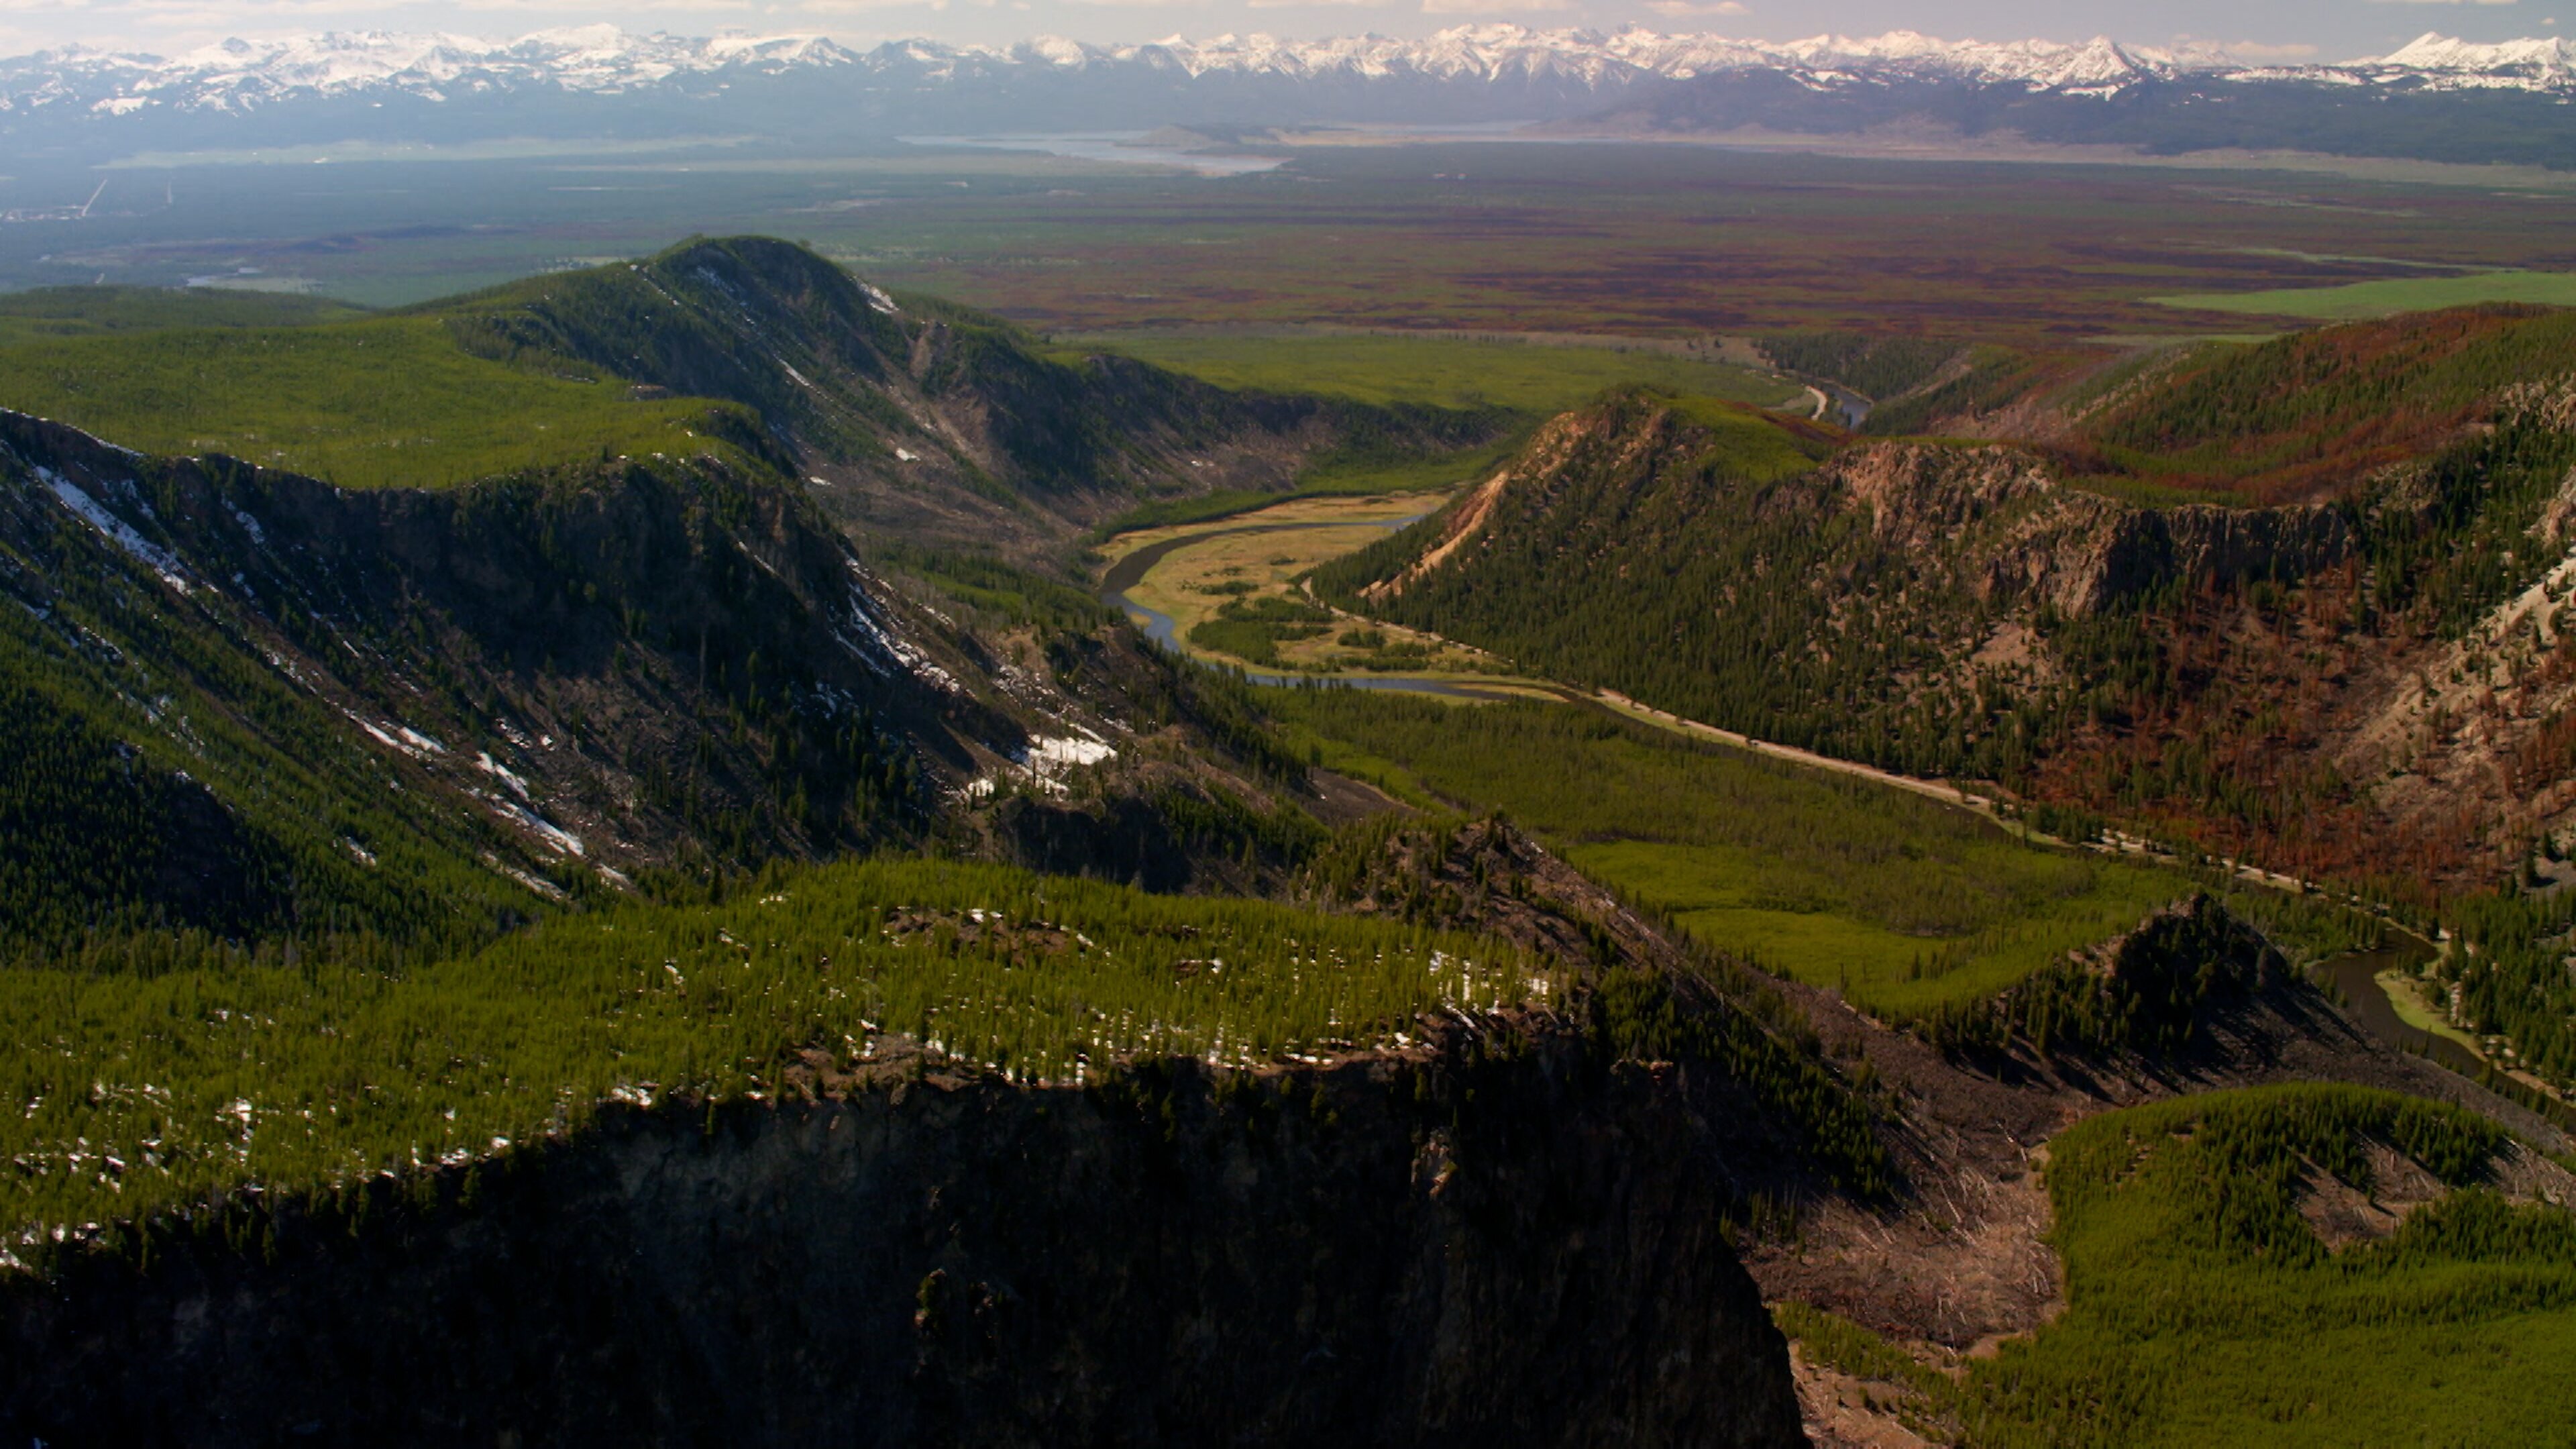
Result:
[[604, 81]]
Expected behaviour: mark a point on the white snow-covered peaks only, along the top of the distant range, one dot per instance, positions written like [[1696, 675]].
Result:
[[601, 61]]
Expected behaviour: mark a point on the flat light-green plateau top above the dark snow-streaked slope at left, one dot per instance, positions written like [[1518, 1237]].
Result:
[[370, 404]]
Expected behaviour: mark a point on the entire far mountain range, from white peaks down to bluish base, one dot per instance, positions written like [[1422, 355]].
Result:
[[2448, 99]]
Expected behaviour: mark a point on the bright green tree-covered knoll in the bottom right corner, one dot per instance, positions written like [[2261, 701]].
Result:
[[2204, 1308]]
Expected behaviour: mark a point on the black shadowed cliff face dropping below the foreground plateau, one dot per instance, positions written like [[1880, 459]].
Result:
[[1488, 1241]]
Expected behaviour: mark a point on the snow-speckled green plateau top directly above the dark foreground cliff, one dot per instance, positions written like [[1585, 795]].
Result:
[[148, 1092]]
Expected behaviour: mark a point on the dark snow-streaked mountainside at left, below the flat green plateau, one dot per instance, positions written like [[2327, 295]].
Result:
[[251, 705]]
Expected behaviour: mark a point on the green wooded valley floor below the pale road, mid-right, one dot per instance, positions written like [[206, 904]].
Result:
[[1897, 901]]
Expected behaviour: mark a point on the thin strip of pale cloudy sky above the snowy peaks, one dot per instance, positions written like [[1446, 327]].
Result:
[[2278, 30]]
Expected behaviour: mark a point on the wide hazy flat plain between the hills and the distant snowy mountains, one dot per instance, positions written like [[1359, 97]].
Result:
[[1454, 236]]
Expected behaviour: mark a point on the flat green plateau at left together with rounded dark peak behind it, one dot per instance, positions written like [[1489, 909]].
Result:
[[905, 416]]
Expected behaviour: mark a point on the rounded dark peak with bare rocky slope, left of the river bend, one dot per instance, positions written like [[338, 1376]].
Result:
[[921, 416]]
